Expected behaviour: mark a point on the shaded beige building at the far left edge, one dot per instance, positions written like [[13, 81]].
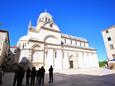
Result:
[[4, 47]]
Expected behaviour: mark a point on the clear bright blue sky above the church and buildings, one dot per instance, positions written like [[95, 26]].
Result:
[[81, 18]]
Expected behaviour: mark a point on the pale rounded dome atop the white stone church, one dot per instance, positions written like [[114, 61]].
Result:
[[45, 17]]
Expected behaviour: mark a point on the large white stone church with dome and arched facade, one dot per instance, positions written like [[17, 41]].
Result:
[[46, 45]]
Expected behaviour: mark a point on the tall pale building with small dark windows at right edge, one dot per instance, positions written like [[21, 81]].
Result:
[[109, 40]]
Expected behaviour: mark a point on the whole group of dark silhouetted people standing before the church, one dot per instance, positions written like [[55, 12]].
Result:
[[32, 76]]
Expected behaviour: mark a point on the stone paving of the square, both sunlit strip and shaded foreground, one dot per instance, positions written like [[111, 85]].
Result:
[[92, 77]]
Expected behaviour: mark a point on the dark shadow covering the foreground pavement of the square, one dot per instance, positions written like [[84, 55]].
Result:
[[69, 80]]
